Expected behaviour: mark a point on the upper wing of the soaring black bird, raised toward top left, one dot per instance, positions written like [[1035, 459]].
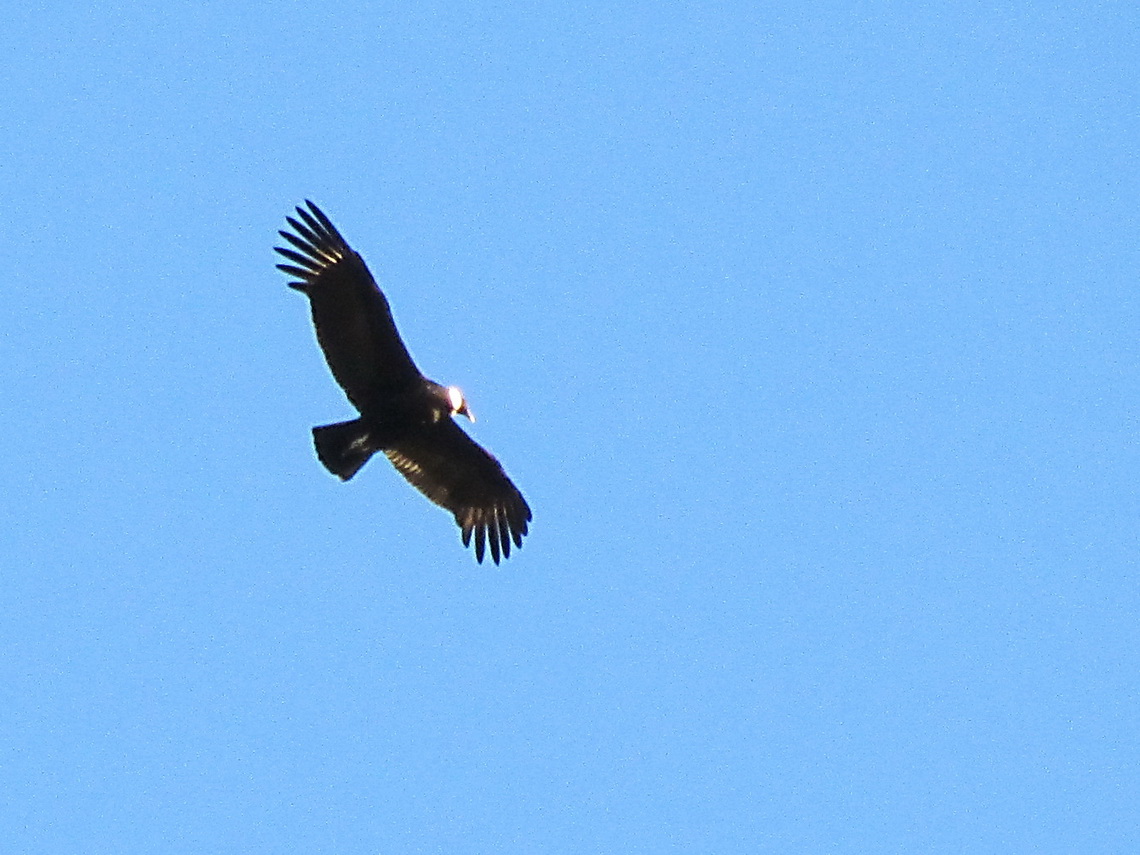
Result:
[[351, 314]]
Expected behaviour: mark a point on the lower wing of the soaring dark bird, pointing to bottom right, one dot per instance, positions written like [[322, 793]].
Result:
[[455, 473]]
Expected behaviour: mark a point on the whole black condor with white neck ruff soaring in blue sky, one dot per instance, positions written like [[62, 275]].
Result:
[[403, 414]]
